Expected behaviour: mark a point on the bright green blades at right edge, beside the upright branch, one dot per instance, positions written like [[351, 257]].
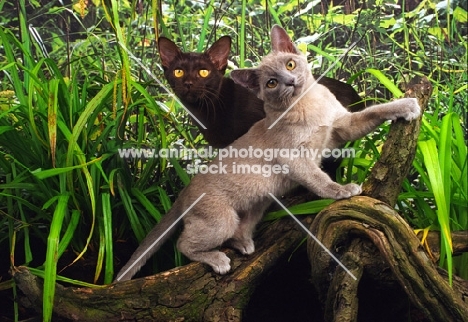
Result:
[[441, 168]]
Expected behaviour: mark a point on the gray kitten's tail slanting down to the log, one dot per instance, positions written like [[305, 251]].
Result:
[[151, 243]]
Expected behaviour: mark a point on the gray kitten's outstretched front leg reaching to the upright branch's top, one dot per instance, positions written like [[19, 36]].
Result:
[[352, 126]]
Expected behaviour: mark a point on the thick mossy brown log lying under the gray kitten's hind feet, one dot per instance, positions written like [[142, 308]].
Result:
[[189, 293]]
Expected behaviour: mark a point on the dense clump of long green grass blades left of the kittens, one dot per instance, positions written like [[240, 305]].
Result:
[[63, 180]]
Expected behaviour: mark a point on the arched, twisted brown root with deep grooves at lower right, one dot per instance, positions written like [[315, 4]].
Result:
[[343, 224]]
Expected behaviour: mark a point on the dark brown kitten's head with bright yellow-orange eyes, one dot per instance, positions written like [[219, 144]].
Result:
[[194, 77]]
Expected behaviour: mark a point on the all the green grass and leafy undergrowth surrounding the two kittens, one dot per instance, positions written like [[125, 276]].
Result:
[[79, 83]]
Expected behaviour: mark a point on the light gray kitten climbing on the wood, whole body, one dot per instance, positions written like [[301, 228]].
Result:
[[234, 202]]
